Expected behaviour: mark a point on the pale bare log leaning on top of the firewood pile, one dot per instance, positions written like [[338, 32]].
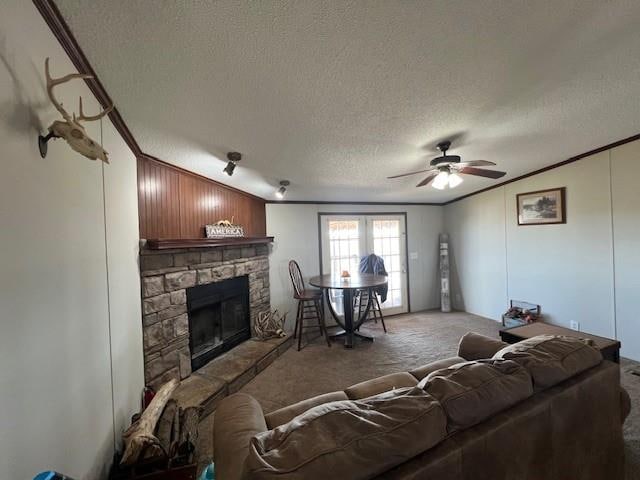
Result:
[[140, 436]]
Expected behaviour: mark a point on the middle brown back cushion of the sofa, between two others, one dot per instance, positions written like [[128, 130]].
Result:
[[473, 391]]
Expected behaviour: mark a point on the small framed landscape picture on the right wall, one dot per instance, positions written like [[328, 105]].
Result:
[[542, 207]]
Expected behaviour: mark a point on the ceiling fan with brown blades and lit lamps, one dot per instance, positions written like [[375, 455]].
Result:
[[444, 170]]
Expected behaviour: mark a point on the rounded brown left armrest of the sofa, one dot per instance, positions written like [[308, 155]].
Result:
[[237, 418]]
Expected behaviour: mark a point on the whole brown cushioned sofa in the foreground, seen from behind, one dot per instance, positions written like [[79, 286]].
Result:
[[545, 408]]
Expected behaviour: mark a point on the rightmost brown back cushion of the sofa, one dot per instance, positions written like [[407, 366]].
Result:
[[551, 359]]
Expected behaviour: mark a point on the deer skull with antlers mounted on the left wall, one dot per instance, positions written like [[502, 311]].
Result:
[[70, 128]]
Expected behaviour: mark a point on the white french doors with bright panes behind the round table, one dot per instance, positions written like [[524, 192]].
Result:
[[348, 238]]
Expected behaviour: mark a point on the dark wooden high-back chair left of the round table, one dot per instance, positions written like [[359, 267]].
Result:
[[310, 306]]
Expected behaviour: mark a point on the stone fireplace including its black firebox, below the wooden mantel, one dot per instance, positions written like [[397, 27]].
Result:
[[198, 303]]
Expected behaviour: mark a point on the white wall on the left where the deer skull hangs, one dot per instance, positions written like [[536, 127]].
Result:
[[69, 287]]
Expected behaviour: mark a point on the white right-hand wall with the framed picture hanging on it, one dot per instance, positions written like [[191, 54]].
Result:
[[585, 270]]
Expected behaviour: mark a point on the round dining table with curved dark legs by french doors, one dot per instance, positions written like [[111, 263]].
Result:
[[349, 286]]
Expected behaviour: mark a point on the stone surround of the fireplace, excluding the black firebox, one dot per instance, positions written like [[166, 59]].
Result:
[[166, 274]]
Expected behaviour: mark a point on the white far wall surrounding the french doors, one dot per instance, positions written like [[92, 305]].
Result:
[[295, 228]]
